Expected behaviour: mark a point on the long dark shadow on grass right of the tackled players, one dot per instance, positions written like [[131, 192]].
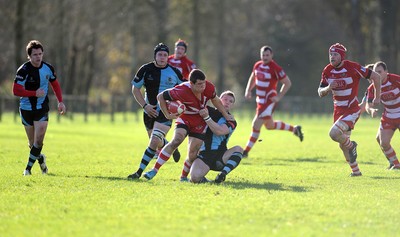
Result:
[[267, 186]]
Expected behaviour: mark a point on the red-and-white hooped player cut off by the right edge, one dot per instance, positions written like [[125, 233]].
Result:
[[390, 120]]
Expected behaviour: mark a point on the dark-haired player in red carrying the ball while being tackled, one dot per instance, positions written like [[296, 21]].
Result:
[[194, 94]]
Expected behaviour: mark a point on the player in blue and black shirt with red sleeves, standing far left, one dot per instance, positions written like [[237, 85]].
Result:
[[31, 84]]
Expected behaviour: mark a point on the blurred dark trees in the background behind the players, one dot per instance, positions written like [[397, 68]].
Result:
[[96, 46]]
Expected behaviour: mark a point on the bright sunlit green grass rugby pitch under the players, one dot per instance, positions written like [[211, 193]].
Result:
[[284, 188]]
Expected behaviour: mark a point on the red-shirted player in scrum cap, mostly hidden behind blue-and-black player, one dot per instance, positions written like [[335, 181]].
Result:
[[180, 60]]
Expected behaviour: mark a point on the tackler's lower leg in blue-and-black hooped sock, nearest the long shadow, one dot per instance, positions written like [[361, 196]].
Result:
[[231, 159]]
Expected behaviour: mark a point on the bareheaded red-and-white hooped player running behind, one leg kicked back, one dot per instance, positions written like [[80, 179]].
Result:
[[264, 77]]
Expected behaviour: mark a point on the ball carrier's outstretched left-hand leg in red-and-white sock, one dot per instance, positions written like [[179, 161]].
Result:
[[178, 137]]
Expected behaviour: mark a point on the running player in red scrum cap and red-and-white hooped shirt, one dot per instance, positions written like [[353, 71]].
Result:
[[342, 77]]
